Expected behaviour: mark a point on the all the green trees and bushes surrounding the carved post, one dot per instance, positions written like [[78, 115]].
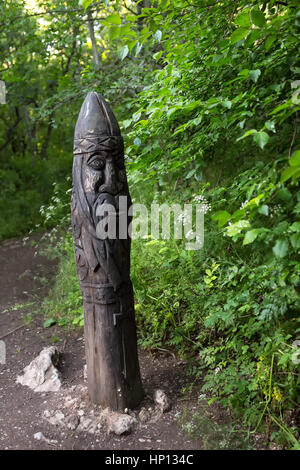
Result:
[[208, 98]]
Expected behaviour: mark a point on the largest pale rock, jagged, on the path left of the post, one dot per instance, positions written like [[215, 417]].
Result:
[[41, 375]]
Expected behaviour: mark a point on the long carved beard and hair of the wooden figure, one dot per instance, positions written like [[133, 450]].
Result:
[[110, 255]]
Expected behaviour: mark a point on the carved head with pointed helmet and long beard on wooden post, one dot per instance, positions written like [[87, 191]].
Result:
[[99, 177]]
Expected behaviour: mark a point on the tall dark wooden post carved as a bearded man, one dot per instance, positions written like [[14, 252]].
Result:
[[103, 264]]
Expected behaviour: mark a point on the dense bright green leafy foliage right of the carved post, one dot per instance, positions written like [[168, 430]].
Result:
[[222, 108]]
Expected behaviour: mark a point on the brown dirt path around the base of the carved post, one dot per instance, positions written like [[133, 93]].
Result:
[[21, 410]]
